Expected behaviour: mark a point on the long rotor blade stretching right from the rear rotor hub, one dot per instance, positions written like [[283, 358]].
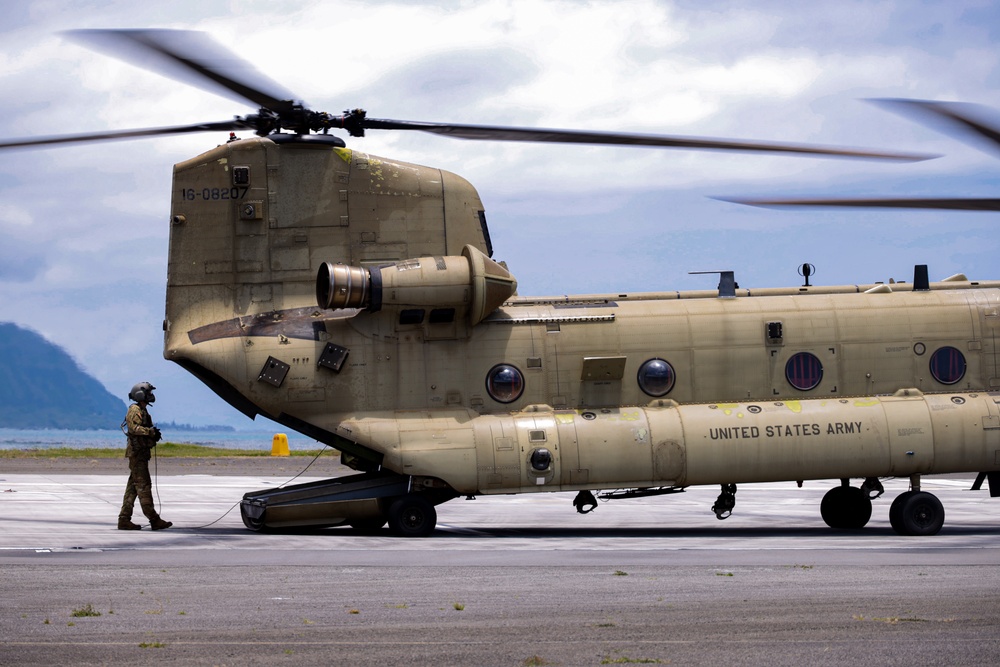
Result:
[[501, 133]]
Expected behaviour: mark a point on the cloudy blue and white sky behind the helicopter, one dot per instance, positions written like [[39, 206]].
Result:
[[83, 229]]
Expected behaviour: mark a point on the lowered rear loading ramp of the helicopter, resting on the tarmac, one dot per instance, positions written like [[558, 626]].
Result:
[[356, 500]]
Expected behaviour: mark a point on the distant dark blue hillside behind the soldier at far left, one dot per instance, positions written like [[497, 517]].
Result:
[[41, 386]]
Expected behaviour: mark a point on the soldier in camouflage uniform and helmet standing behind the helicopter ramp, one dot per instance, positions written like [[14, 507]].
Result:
[[142, 437]]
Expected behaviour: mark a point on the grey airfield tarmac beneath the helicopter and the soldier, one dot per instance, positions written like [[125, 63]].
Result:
[[511, 580]]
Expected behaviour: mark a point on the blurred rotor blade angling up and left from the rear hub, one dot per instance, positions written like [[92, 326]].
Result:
[[179, 53]]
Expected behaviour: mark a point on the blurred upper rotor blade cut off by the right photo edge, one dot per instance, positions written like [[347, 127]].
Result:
[[968, 119]]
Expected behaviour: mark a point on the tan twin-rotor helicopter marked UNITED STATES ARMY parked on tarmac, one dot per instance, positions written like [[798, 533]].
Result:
[[355, 299]]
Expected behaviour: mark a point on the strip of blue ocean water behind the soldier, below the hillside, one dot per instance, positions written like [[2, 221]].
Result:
[[47, 439]]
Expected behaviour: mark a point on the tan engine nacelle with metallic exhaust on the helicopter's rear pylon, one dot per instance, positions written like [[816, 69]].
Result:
[[473, 284]]
